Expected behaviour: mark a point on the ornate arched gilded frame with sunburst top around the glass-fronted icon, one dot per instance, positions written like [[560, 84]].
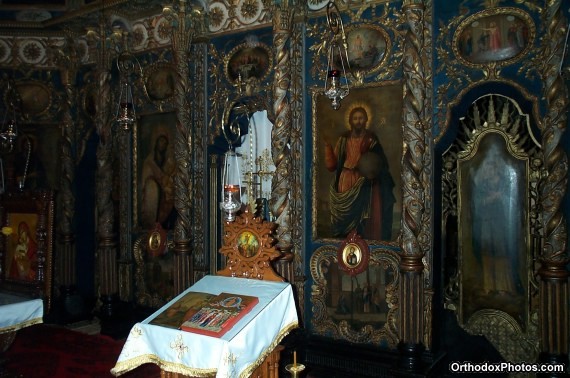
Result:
[[496, 324]]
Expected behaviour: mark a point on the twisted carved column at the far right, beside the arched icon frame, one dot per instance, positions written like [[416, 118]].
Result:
[[553, 272]]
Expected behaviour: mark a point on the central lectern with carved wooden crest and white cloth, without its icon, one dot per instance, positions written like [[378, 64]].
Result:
[[251, 347]]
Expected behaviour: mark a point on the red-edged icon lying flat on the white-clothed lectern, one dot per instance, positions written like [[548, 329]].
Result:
[[219, 314]]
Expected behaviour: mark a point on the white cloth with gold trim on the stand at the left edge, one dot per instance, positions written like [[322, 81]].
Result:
[[18, 312]]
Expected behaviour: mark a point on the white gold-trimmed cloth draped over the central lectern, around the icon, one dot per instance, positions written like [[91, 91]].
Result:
[[235, 354]]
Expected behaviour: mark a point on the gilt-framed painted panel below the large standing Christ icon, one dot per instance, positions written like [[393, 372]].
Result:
[[340, 303]]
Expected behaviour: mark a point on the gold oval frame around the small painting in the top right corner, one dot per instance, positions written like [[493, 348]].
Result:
[[509, 11]]
